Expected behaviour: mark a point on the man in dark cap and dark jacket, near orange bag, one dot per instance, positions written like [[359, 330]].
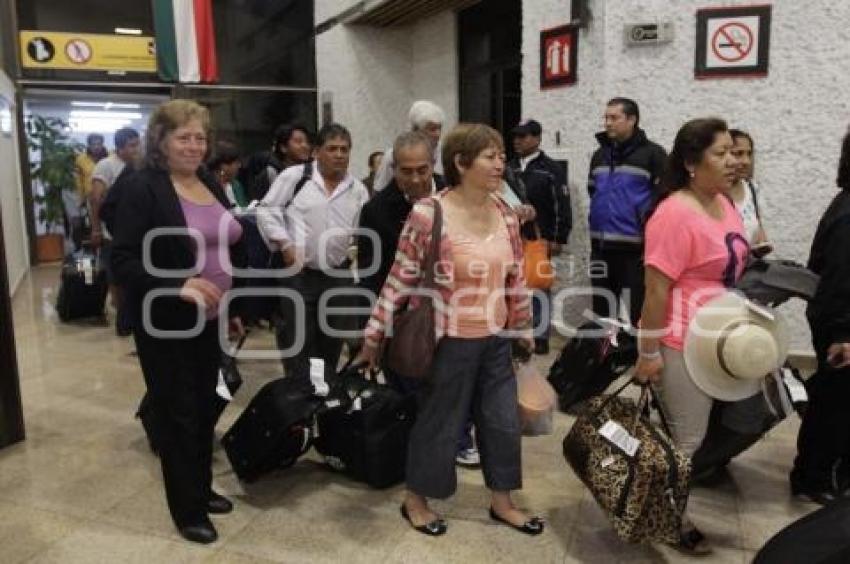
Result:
[[545, 185]]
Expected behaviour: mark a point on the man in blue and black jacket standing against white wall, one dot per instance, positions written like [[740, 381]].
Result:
[[623, 181]]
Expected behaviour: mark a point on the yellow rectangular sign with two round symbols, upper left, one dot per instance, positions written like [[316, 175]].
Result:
[[87, 51]]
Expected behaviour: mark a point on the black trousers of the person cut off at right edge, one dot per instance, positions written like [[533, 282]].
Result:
[[823, 443]]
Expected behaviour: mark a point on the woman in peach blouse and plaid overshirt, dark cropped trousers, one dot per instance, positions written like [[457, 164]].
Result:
[[481, 295]]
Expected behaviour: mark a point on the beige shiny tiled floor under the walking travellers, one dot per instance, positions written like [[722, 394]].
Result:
[[83, 487]]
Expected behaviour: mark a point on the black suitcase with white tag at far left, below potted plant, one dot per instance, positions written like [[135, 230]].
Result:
[[82, 287]]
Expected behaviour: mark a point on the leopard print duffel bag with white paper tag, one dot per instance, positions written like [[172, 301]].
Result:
[[633, 469]]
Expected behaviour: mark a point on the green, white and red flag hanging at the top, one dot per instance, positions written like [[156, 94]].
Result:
[[185, 40]]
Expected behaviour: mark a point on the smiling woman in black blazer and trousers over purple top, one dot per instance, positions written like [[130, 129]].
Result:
[[174, 292]]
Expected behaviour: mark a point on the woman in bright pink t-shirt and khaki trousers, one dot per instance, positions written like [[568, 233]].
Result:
[[694, 251]]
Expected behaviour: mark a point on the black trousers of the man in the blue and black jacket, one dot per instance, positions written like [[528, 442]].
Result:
[[622, 277]]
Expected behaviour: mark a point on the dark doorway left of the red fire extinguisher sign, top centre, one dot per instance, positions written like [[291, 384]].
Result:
[[490, 63]]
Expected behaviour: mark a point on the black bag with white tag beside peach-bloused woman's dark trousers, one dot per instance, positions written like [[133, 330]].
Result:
[[368, 440]]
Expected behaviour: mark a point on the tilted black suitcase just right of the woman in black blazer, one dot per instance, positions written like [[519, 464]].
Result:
[[274, 430]]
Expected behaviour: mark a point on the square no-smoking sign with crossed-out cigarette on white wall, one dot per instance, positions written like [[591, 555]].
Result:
[[732, 41]]
